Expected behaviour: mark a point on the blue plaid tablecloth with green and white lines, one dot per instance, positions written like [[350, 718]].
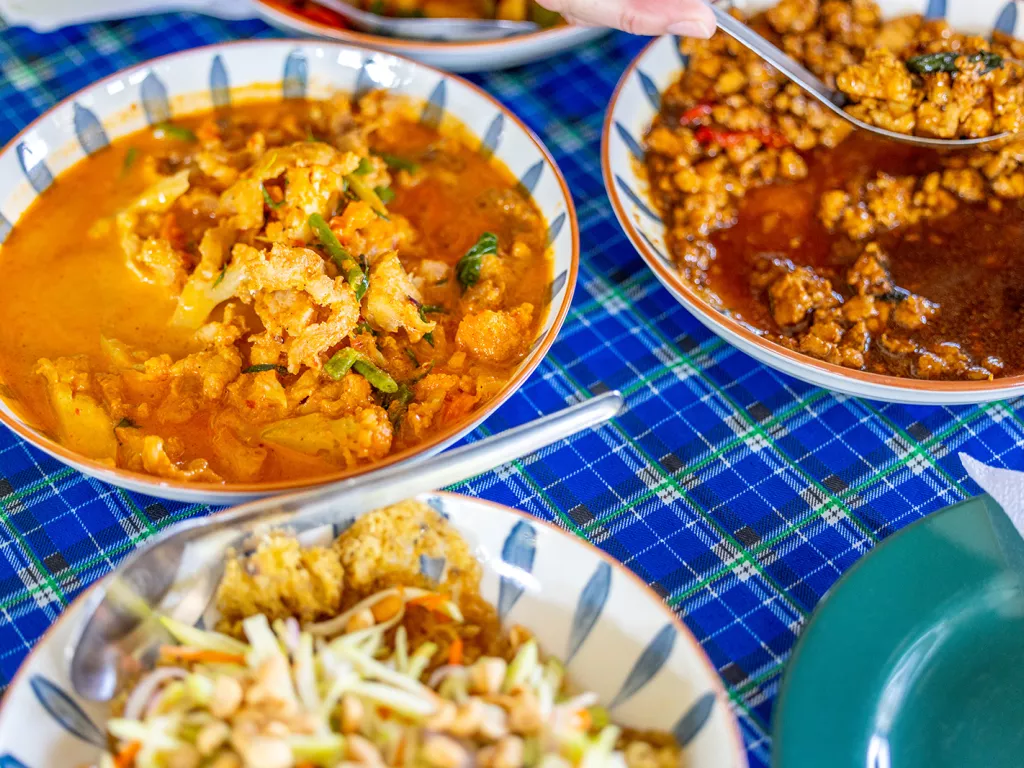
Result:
[[739, 494]]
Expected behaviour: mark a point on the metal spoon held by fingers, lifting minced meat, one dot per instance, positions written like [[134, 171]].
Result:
[[835, 101]]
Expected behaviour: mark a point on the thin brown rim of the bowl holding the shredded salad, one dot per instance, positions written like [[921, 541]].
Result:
[[717, 686]]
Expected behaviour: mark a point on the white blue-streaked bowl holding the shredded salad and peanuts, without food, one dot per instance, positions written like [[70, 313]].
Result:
[[618, 638]]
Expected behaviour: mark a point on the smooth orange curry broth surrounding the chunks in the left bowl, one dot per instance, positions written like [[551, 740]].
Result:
[[67, 283]]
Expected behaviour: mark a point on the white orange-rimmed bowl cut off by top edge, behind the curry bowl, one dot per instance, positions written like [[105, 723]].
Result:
[[485, 57]]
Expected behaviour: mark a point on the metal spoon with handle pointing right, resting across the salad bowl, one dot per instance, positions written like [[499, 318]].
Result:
[[177, 574]]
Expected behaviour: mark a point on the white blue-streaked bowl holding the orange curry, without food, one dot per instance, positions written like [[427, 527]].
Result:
[[198, 80]]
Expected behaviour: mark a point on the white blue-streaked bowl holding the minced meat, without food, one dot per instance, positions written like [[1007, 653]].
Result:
[[630, 114]]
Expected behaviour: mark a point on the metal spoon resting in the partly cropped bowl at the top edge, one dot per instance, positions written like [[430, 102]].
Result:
[[442, 30]]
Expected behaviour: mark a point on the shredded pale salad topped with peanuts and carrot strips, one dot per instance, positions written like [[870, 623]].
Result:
[[348, 692]]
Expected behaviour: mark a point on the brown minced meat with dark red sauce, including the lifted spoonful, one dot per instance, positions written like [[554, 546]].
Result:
[[861, 252]]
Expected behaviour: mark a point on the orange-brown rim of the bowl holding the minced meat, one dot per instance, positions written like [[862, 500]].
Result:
[[694, 303]]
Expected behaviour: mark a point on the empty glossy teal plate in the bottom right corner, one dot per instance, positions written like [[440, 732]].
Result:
[[916, 658]]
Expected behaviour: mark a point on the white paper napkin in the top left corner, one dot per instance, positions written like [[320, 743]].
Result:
[[47, 16]]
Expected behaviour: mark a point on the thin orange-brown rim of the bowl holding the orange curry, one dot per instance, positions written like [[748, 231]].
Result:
[[232, 491]]
